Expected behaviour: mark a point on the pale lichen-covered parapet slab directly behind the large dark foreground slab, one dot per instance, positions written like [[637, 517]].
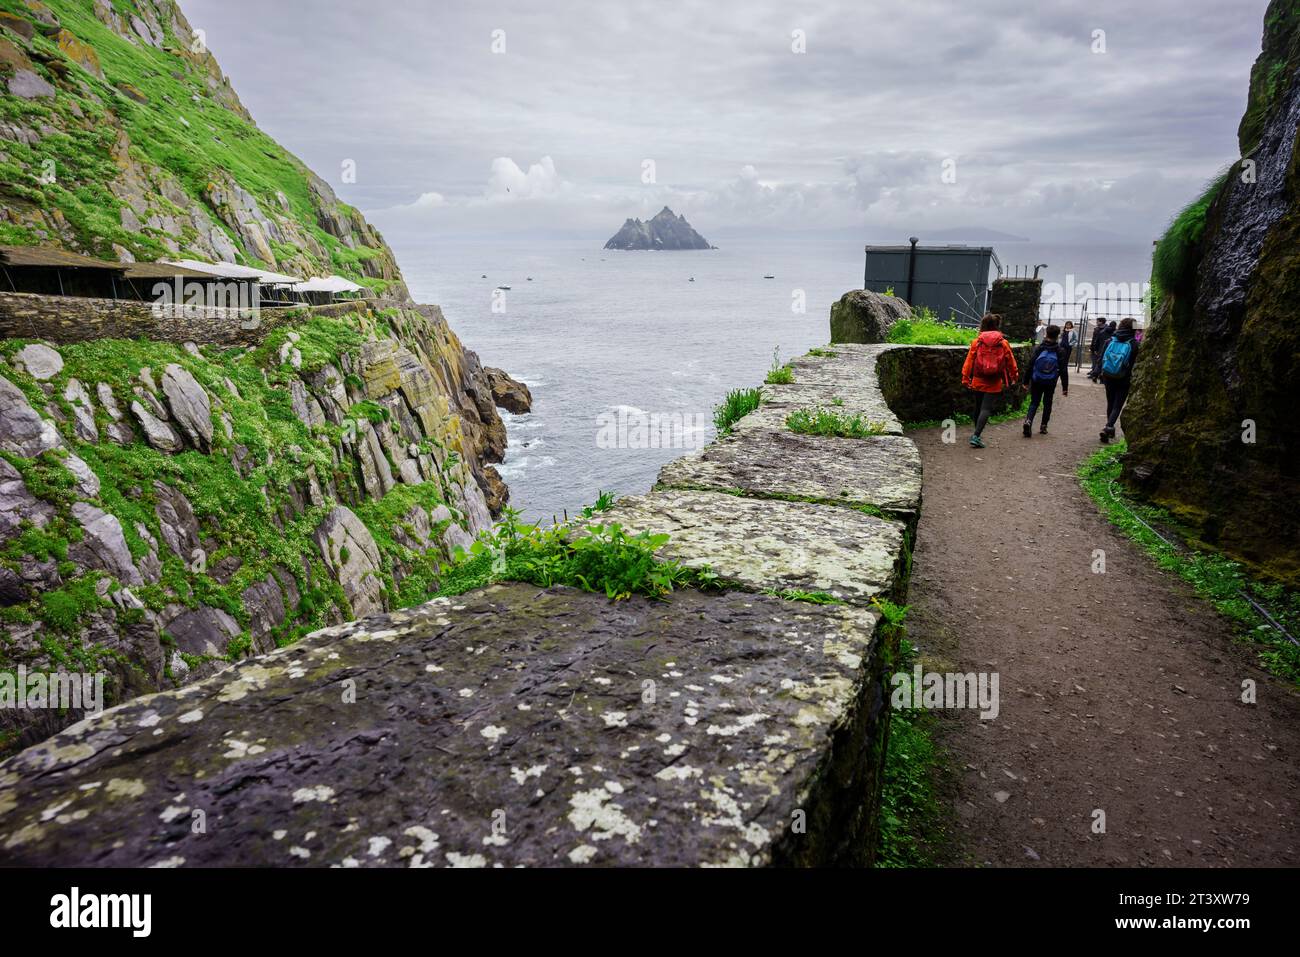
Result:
[[766, 544]]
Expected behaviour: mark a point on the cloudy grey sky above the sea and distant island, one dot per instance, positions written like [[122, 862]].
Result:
[[1077, 119]]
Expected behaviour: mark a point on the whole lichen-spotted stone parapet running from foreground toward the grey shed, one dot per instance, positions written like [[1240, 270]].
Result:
[[519, 726]]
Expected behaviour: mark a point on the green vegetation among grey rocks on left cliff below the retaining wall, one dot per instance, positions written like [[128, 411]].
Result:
[[250, 522]]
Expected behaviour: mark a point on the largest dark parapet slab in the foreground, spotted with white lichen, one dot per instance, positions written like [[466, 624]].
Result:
[[512, 728]]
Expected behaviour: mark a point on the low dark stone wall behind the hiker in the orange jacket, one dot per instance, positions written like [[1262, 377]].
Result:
[[925, 383]]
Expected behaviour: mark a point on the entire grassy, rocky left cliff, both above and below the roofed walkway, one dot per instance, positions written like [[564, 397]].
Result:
[[168, 508]]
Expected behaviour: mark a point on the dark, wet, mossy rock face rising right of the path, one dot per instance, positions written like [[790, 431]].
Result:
[[1211, 426]]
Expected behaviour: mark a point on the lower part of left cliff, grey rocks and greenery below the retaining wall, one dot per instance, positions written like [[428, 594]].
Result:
[[167, 510]]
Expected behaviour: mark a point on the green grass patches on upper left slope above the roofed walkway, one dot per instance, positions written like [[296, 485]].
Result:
[[183, 131]]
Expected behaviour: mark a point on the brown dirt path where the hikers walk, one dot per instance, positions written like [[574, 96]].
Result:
[[1120, 692]]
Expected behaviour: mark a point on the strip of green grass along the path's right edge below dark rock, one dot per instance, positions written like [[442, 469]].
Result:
[[1216, 578]]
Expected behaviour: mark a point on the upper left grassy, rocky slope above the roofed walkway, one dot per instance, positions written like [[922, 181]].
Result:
[[120, 137]]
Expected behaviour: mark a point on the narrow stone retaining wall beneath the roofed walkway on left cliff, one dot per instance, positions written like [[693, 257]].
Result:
[[75, 319]]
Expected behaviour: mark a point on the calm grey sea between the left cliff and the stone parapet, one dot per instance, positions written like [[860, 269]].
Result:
[[597, 334]]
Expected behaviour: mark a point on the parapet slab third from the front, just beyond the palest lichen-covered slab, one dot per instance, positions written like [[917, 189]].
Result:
[[882, 473]]
